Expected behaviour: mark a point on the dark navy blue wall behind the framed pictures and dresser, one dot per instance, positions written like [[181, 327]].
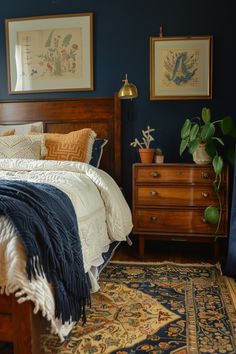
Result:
[[122, 30]]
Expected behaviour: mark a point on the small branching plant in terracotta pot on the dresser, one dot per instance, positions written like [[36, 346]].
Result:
[[146, 153]]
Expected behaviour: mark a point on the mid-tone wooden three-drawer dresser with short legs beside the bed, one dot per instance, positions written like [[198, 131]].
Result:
[[168, 203]]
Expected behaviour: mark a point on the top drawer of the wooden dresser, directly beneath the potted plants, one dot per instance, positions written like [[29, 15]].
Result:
[[175, 174]]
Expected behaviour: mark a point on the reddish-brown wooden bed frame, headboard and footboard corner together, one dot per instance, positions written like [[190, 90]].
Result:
[[18, 324]]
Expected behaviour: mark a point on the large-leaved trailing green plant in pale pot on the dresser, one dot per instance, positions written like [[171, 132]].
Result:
[[209, 142]]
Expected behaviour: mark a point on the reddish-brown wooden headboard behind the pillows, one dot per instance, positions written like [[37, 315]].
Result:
[[103, 115]]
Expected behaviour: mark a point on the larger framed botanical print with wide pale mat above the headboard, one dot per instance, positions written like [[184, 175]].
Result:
[[50, 53]]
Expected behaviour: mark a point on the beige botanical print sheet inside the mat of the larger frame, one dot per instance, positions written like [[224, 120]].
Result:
[[51, 54]]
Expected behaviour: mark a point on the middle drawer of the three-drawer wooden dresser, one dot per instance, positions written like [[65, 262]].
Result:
[[178, 195]]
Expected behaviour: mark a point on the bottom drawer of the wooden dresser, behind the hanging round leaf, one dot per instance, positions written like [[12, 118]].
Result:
[[183, 221]]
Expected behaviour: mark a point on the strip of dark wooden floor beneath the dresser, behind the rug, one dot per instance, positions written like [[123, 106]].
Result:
[[179, 252]]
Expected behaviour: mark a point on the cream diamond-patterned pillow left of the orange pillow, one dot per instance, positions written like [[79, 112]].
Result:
[[22, 147]]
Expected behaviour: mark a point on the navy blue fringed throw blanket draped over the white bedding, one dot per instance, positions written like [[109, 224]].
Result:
[[46, 223]]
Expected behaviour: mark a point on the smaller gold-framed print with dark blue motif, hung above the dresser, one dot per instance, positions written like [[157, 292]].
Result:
[[181, 68]]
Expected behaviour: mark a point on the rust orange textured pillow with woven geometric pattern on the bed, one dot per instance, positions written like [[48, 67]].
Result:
[[74, 146]]
